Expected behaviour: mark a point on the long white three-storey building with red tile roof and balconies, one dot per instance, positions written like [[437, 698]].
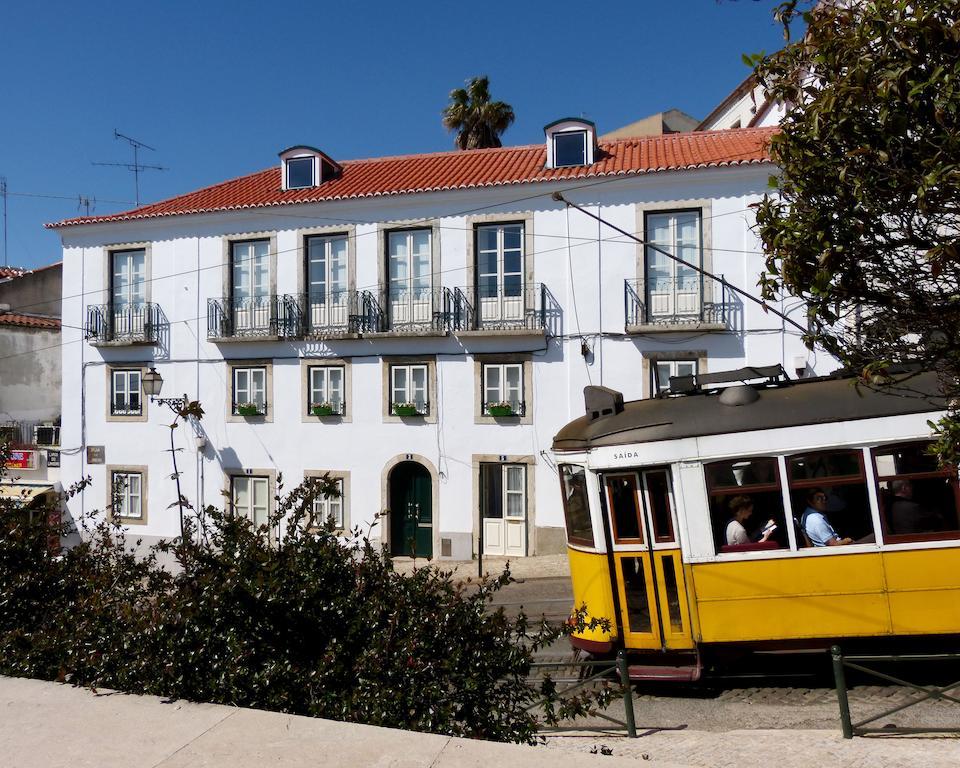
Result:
[[432, 285]]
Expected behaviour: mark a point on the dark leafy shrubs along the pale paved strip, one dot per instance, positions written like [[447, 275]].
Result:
[[311, 625]]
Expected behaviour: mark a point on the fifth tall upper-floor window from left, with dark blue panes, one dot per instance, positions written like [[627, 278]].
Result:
[[500, 272]]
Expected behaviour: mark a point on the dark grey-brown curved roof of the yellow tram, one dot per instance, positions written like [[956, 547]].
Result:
[[788, 404]]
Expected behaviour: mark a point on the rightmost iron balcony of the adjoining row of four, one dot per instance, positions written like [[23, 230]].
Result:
[[506, 308]]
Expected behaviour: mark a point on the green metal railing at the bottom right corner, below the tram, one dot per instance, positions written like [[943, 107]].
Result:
[[930, 692]]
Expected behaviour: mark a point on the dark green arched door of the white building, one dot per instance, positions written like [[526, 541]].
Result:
[[411, 510]]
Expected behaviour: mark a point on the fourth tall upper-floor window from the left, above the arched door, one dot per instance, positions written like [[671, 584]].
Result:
[[410, 298]]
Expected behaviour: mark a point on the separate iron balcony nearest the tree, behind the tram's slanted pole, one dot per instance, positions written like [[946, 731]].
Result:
[[677, 304]]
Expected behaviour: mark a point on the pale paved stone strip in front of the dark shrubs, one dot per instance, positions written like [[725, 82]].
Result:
[[48, 725]]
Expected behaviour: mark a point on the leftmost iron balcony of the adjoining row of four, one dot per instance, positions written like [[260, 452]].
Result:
[[257, 317]]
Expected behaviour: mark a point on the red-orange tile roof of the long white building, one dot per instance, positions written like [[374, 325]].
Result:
[[462, 170]]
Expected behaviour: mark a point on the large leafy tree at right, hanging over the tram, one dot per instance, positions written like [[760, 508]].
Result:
[[864, 222]]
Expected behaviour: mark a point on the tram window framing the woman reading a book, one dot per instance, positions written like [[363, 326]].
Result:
[[734, 486]]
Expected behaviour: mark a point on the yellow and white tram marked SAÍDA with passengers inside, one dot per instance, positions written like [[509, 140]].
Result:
[[649, 488]]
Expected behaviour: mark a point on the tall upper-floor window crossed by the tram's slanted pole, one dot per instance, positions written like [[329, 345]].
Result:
[[672, 289]]
